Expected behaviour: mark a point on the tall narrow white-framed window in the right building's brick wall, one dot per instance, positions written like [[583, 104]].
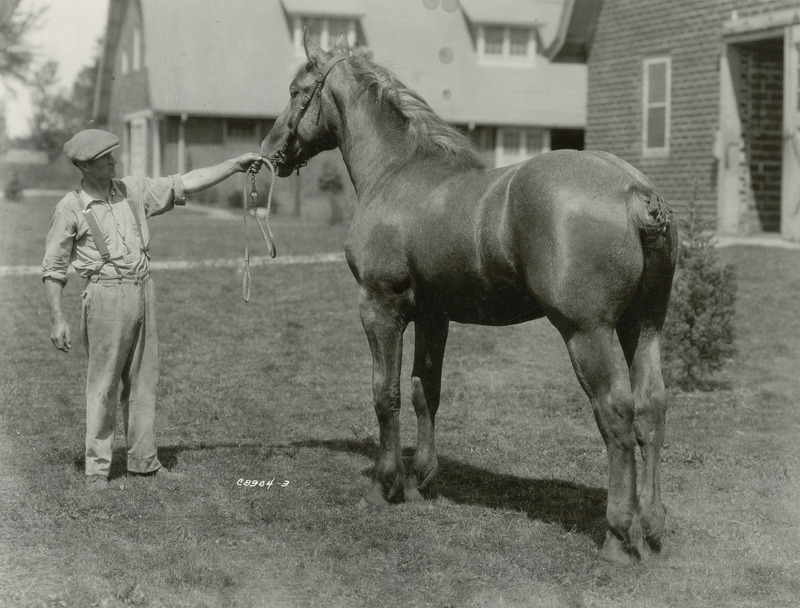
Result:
[[656, 99]]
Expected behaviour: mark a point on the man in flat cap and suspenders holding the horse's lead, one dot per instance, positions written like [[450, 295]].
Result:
[[101, 229]]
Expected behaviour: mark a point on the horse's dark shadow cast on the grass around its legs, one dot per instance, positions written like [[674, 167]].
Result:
[[574, 507]]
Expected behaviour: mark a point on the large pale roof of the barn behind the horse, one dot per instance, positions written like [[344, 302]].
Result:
[[206, 59]]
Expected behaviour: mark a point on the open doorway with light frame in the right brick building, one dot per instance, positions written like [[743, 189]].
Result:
[[759, 139]]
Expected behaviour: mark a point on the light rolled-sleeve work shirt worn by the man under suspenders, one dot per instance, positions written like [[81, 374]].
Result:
[[70, 240]]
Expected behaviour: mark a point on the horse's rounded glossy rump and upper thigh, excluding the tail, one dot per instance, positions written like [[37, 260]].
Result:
[[578, 252]]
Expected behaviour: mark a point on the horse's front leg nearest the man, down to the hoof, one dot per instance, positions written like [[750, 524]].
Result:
[[384, 319]]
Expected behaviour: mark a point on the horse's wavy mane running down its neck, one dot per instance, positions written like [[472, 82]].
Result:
[[426, 132]]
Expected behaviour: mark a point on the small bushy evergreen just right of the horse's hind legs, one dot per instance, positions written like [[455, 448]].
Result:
[[699, 333]]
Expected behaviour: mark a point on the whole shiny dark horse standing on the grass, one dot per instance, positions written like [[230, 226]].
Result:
[[579, 237]]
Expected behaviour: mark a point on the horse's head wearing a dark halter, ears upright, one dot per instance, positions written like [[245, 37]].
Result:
[[302, 130]]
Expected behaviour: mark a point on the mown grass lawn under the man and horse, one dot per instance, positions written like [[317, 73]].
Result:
[[279, 389]]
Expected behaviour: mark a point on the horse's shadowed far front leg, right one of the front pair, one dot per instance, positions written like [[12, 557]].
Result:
[[430, 338]]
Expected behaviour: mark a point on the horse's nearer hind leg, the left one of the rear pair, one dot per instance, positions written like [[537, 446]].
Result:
[[602, 374]]
